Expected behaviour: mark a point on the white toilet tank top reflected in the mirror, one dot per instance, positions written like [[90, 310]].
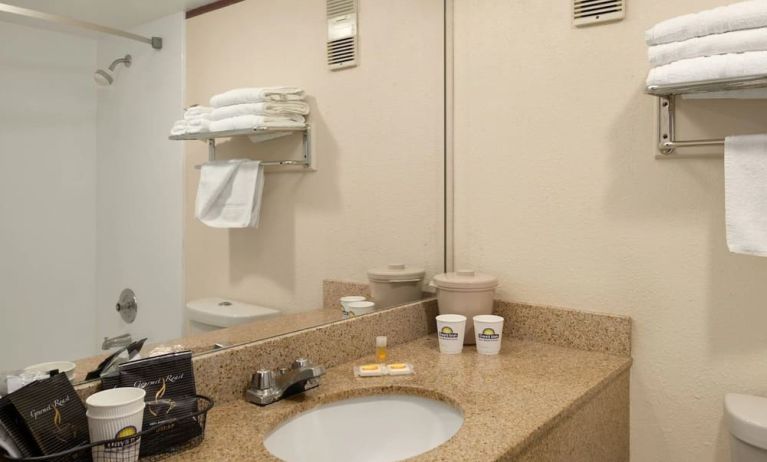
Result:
[[209, 314]]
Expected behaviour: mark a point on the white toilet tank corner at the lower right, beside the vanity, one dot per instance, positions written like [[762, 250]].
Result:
[[746, 418]]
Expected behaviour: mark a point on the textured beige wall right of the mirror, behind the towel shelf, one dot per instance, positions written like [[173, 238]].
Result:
[[558, 192]]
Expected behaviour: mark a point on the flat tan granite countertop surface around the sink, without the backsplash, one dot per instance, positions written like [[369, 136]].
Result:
[[508, 400]]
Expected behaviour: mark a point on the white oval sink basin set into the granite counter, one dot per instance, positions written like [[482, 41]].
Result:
[[377, 428]]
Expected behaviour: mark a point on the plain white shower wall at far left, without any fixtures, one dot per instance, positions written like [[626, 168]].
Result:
[[48, 189]]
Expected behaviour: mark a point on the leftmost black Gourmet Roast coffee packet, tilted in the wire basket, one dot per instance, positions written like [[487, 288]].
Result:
[[53, 414]]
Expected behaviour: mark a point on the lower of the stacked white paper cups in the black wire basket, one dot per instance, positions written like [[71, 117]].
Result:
[[109, 428]]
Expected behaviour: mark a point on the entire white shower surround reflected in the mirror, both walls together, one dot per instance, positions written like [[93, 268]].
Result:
[[91, 190]]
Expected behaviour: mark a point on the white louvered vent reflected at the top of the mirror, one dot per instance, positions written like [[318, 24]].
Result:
[[342, 34]]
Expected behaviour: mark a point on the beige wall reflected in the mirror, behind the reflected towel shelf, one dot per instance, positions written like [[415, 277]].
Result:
[[376, 196]]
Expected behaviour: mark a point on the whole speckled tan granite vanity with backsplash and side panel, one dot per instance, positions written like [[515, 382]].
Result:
[[559, 390]]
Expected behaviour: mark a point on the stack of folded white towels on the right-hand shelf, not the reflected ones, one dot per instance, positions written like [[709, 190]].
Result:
[[725, 42]]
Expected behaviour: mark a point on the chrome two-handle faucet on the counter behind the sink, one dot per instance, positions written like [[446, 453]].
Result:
[[269, 386]]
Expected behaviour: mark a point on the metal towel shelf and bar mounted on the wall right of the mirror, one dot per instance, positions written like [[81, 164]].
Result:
[[667, 142]]
